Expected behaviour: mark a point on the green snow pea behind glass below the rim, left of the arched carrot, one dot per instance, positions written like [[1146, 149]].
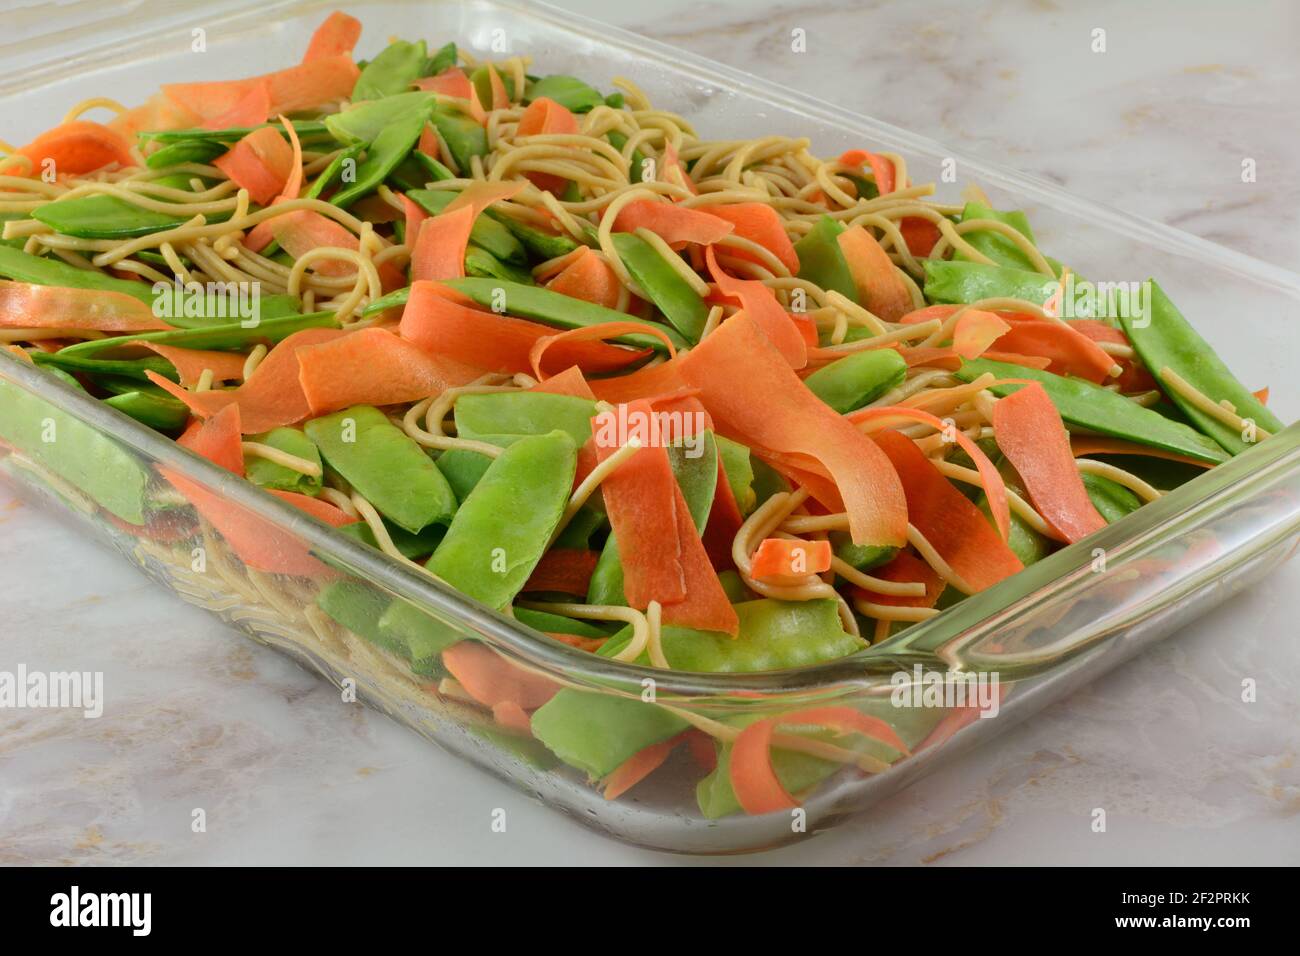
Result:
[[597, 733]]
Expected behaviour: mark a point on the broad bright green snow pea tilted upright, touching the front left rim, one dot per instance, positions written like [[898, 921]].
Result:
[[501, 531]]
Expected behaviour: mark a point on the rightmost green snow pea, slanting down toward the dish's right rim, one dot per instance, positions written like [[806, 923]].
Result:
[[1169, 341]]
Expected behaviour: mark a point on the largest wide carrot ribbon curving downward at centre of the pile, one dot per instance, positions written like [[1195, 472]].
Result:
[[756, 399]]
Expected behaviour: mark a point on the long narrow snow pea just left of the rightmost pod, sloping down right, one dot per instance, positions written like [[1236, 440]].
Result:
[[1107, 413]]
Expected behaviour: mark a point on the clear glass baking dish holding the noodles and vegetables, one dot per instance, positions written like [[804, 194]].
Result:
[[1042, 634]]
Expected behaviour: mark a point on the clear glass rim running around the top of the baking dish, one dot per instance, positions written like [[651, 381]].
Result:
[[978, 611]]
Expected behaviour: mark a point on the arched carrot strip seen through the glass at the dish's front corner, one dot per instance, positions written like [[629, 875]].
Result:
[[752, 775]]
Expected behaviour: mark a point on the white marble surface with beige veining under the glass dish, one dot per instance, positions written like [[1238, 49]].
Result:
[[200, 717]]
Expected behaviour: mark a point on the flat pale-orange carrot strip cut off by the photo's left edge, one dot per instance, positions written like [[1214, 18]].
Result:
[[28, 306]]
